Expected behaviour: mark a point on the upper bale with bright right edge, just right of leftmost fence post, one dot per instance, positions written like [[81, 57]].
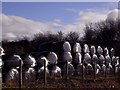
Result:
[[29, 61]]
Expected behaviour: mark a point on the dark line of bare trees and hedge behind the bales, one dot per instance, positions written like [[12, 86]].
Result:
[[104, 33]]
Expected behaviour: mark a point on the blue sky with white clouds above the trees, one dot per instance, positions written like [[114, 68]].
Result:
[[28, 18]]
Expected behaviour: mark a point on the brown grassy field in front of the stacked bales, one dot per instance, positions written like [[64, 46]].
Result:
[[89, 82]]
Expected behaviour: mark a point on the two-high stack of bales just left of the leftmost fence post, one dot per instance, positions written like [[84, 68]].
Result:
[[10, 68]]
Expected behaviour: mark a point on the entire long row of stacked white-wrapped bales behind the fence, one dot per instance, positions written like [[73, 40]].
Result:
[[58, 59]]
